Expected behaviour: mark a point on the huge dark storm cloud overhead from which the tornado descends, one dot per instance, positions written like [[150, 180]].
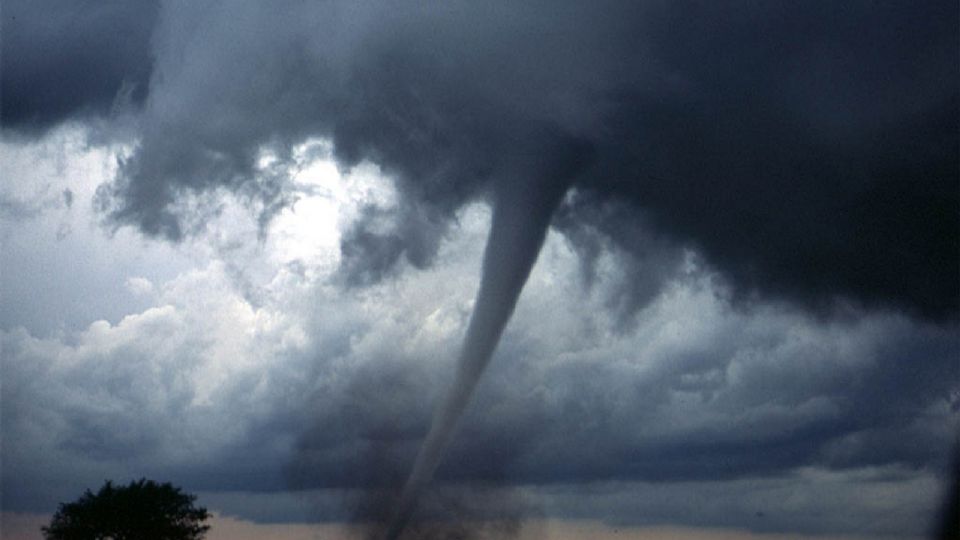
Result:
[[807, 151]]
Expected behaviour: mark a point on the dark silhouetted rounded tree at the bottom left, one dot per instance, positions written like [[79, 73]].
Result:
[[143, 510]]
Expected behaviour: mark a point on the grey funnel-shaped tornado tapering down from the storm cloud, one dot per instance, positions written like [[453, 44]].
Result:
[[521, 216]]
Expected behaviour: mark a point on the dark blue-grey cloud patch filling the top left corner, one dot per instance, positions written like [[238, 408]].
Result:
[[63, 59]]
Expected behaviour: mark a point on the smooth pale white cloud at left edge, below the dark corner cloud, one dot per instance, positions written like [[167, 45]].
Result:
[[61, 269]]
